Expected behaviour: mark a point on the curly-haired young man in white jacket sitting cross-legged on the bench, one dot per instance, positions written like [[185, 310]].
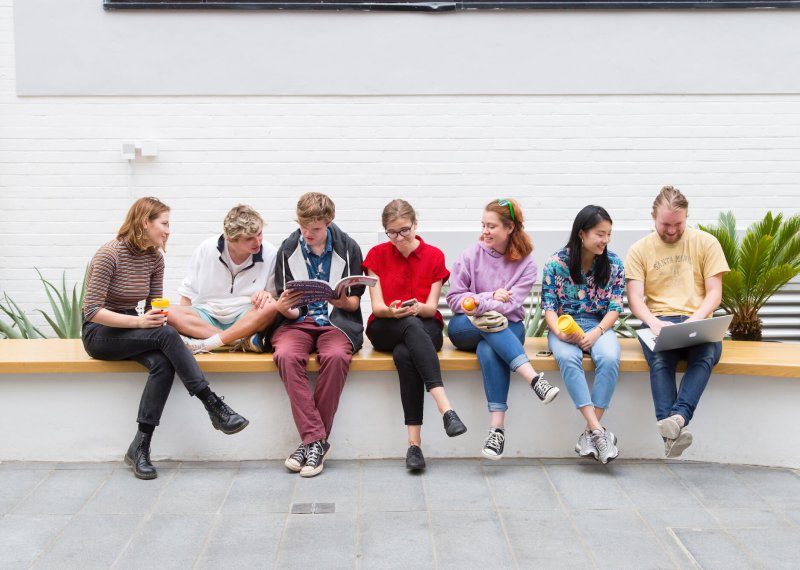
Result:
[[229, 292]]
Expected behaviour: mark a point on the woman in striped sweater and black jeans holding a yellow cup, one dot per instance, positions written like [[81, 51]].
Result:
[[125, 273]]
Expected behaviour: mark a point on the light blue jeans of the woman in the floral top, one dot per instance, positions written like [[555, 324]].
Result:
[[604, 353]]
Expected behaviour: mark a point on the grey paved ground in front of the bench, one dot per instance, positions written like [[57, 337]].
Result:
[[459, 514]]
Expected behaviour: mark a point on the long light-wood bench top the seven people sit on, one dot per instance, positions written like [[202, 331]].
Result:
[[54, 356]]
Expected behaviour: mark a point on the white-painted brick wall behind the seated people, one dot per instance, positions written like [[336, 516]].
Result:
[[64, 187]]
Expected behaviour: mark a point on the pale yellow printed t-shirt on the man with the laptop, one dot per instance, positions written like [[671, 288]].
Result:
[[674, 274]]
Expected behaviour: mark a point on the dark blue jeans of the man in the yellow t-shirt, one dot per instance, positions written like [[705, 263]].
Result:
[[701, 359]]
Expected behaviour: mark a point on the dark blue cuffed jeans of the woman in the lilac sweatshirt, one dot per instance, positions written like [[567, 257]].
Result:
[[498, 354]]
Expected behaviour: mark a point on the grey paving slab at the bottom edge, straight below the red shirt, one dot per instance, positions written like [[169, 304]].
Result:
[[394, 540]]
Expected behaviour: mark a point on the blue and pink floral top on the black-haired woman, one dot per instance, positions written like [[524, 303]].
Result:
[[562, 295]]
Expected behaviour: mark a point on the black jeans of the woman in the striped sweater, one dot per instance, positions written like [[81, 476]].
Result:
[[160, 350]]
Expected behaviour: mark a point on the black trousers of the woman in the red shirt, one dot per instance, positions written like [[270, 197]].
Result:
[[413, 342]]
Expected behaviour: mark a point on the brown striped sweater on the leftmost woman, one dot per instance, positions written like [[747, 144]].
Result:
[[119, 277]]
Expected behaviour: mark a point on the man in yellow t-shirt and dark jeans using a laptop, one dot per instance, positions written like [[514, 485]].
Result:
[[675, 275]]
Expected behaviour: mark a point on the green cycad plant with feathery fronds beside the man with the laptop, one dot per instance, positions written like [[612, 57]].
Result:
[[767, 257]]
